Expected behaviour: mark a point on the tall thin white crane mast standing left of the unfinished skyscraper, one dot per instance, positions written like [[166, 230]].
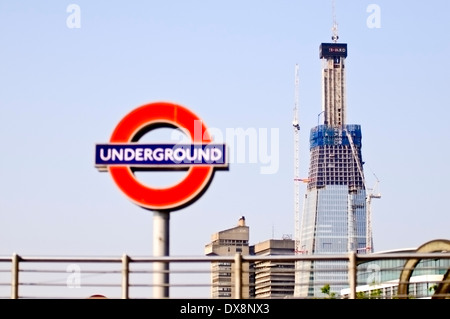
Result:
[[297, 179]]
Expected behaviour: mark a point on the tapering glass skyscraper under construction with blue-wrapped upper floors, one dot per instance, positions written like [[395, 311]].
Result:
[[335, 216]]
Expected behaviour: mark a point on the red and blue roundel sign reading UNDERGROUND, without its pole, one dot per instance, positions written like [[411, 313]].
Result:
[[123, 155]]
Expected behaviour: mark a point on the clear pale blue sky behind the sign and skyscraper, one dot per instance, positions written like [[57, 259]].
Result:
[[62, 90]]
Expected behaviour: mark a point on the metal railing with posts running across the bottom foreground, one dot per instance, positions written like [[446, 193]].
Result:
[[238, 276]]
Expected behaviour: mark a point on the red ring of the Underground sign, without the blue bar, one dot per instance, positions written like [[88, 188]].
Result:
[[197, 178]]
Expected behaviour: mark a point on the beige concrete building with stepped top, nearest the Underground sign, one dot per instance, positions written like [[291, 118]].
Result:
[[227, 243]]
